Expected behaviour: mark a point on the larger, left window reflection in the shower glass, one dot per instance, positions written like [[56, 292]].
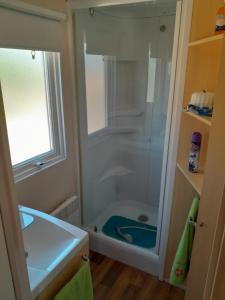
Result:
[[95, 92]]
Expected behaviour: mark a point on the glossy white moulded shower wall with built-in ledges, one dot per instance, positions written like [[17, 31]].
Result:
[[123, 162]]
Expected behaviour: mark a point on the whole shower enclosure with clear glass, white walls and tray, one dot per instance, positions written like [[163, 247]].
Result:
[[124, 66]]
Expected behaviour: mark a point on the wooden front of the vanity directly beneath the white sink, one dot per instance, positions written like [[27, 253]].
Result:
[[65, 275]]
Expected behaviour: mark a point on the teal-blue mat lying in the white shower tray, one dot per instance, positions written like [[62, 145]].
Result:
[[142, 238]]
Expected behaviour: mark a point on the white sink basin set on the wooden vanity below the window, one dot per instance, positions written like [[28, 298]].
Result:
[[50, 244]]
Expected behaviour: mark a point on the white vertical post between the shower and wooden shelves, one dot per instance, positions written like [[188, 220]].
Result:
[[182, 32]]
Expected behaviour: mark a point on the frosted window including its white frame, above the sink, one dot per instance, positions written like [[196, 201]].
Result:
[[31, 88]]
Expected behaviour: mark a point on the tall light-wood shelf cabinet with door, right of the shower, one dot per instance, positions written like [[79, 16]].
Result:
[[205, 71]]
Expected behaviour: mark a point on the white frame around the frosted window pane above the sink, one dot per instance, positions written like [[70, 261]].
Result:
[[56, 117]]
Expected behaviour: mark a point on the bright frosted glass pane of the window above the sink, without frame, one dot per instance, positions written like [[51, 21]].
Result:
[[26, 103]]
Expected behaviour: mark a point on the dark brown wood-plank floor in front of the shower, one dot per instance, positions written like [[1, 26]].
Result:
[[115, 281]]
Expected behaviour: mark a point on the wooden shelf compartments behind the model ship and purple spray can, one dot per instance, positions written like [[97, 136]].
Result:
[[202, 73]]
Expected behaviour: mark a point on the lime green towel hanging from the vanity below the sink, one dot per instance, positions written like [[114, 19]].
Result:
[[79, 287]]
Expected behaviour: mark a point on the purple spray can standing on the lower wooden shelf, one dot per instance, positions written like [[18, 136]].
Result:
[[194, 152]]
